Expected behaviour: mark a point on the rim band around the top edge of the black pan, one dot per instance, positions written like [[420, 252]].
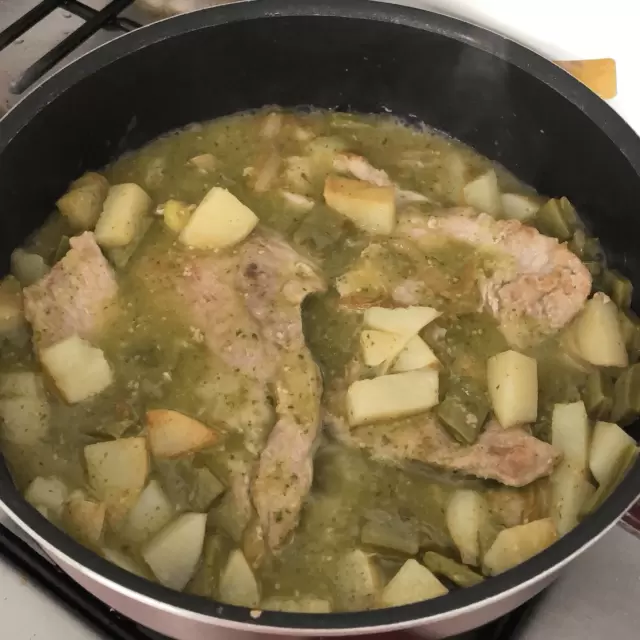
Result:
[[528, 573]]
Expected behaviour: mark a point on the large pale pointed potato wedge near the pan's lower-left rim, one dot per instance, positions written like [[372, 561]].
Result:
[[173, 554]]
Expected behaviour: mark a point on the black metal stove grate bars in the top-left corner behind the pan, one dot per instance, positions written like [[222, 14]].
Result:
[[94, 20]]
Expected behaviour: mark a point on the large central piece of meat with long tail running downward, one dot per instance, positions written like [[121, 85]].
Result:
[[246, 306]]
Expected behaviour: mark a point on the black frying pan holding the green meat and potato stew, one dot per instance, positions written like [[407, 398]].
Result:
[[502, 99]]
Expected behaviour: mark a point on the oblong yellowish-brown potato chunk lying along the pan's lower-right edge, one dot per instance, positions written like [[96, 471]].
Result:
[[517, 544]]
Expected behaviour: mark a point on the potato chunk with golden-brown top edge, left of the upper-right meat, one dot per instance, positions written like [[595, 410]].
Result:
[[371, 208]]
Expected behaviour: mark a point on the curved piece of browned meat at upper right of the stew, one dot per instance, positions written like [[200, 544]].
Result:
[[529, 282]]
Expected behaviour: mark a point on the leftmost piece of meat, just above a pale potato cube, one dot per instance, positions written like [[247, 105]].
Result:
[[75, 297]]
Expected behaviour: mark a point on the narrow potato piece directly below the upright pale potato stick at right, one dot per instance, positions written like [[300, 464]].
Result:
[[569, 491]]
